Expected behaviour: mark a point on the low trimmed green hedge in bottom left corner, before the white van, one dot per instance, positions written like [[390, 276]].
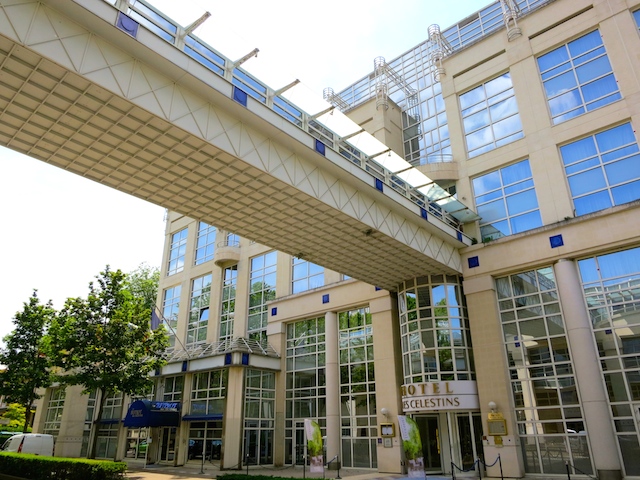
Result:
[[58, 468]]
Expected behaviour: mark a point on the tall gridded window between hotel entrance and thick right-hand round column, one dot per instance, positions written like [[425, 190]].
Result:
[[548, 412]]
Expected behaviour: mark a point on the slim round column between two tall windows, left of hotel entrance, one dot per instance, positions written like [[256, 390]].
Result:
[[333, 384]]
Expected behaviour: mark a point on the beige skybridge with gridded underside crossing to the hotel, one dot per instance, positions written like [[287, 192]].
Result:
[[126, 97]]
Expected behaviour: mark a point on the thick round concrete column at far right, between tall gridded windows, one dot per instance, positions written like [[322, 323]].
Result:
[[593, 396]]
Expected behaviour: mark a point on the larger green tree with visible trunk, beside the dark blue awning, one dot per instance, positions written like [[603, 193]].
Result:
[[104, 342]]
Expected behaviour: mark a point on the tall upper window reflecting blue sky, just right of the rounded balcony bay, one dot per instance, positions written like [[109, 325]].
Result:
[[262, 290]]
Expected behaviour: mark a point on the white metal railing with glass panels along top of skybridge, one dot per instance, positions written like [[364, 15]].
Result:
[[158, 23]]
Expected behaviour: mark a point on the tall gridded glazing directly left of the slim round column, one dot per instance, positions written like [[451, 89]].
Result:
[[305, 394]]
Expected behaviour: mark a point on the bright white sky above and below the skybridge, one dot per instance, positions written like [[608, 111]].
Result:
[[60, 230]]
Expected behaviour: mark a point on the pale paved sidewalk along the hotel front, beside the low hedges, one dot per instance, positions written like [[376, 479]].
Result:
[[138, 471]]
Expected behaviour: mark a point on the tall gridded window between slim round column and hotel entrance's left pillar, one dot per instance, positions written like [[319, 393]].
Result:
[[357, 389]]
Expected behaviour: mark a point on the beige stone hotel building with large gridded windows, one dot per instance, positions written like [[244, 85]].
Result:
[[530, 320]]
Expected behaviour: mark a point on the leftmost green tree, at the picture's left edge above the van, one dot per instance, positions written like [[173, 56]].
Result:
[[24, 355]]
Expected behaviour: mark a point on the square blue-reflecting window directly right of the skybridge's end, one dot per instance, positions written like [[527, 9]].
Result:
[[506, 201]]
